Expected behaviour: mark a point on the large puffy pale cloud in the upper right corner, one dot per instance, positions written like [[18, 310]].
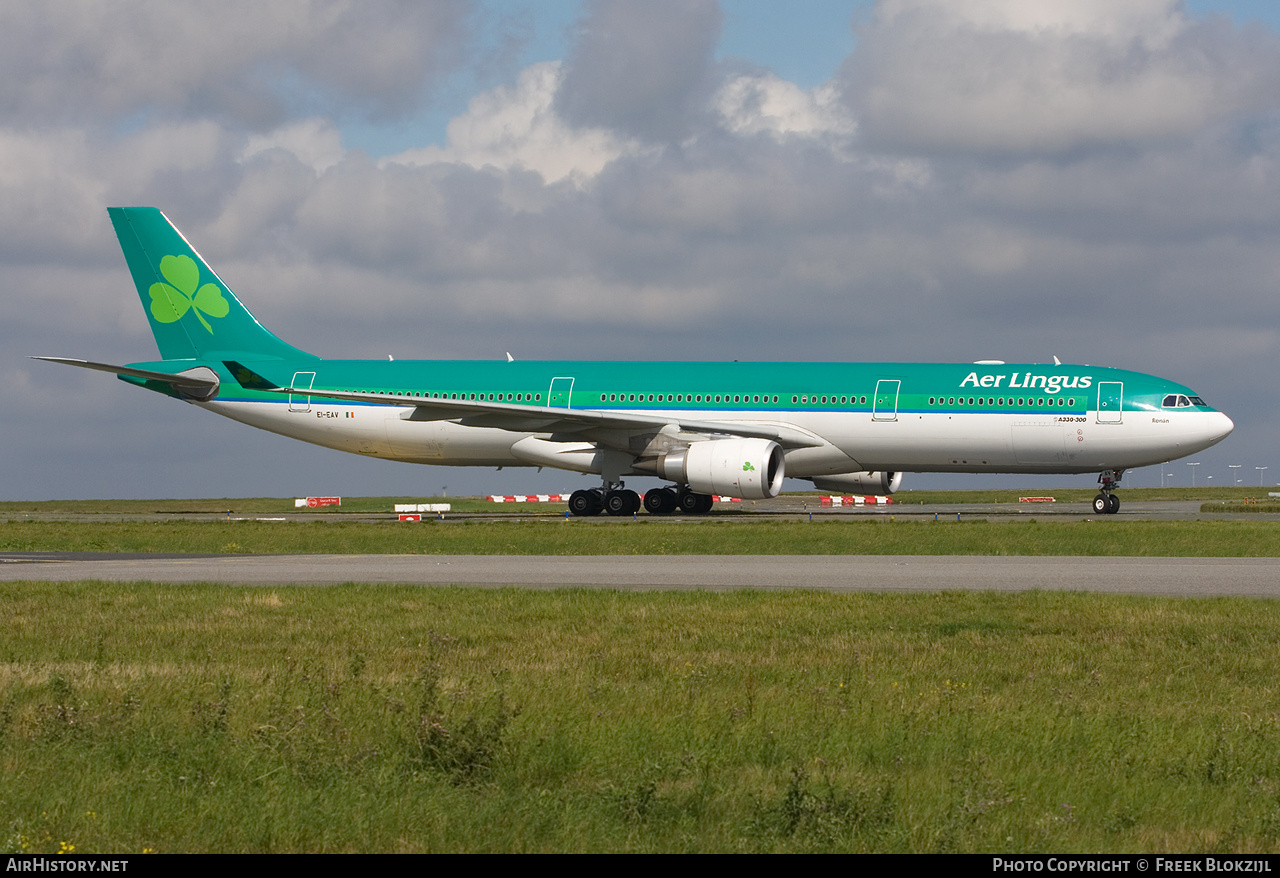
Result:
[[1040, 76]]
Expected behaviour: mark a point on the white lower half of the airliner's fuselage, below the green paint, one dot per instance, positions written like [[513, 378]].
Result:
[[980, 442]]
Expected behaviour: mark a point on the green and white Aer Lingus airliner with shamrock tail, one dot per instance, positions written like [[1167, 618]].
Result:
[[707, 428]]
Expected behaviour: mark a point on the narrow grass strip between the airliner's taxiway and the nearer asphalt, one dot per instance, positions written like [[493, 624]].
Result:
[[879, 536]]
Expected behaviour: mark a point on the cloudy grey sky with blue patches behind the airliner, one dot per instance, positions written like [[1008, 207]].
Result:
[[906, 180]]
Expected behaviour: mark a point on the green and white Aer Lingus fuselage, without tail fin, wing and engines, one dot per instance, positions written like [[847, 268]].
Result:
[[917, 418]]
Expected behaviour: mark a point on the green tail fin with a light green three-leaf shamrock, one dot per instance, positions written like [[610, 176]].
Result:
[[194, 314]]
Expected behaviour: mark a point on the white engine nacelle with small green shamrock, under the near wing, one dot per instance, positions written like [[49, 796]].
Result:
[[751, 469]]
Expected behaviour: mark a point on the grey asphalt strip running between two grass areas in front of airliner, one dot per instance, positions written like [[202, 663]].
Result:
[[1150, 577]]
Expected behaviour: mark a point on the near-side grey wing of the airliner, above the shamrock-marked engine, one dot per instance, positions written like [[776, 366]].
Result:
[[568, 424]]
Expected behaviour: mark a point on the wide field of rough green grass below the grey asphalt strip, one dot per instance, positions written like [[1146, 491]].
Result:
[[387, 719]]
